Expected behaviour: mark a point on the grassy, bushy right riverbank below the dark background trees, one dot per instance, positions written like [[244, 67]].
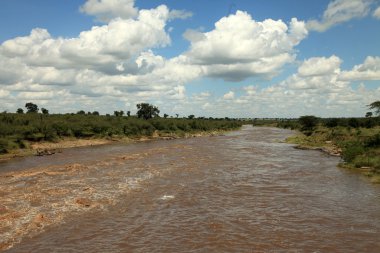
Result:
[[357, 147]]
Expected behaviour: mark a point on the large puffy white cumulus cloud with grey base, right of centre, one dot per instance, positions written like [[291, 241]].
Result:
[[240, 47]]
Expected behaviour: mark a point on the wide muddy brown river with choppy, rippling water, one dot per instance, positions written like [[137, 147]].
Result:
[[242, 192]]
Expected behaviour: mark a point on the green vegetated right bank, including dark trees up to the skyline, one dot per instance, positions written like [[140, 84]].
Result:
[[356, 140]]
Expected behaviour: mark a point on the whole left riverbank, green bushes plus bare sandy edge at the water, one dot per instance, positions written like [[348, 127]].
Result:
[[22, 134]]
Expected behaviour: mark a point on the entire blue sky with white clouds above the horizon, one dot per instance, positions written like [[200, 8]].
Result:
[[225, 58]]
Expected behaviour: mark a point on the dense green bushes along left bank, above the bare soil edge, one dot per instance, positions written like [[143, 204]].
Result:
[[18, 129]]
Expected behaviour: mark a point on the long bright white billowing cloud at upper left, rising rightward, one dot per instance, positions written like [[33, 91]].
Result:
[[99, 48]]
